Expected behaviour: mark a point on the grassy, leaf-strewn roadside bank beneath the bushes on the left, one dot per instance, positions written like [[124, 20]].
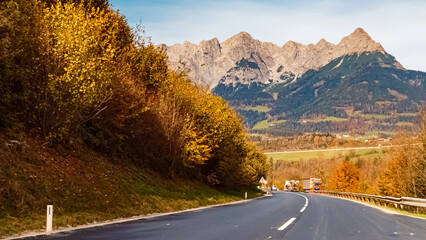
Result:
[[86, 186]]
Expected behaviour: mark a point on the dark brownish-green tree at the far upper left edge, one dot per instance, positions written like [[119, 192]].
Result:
[[20, 23]]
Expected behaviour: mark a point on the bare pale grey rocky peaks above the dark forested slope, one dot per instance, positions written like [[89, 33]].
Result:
[[242, 59]]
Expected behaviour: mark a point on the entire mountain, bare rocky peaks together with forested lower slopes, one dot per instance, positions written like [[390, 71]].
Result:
[[351, 80]]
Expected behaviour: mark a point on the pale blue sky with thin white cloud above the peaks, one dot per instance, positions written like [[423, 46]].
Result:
[[400, 26]]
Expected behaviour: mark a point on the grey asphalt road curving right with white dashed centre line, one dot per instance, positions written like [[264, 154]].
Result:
[[294, 216]]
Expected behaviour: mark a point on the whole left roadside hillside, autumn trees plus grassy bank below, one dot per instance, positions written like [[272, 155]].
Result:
[[93, 119]]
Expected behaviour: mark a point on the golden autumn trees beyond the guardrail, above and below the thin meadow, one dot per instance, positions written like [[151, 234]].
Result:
[[395, 171]]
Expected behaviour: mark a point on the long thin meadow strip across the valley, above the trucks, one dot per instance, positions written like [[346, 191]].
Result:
[[295, 156]]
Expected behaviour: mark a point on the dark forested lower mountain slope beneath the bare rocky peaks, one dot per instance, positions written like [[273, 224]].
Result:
[[353, 88]]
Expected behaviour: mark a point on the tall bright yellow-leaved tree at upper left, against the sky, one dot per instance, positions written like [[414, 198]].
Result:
[[80, 47]]
